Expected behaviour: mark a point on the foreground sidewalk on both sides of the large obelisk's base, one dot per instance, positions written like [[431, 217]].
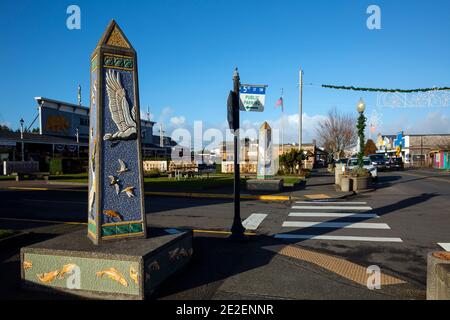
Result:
[[255, 269]]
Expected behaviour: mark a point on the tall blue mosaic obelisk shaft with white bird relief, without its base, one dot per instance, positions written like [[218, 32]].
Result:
[[116, 190]]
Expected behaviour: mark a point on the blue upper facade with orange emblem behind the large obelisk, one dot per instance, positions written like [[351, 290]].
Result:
[[64, 132]]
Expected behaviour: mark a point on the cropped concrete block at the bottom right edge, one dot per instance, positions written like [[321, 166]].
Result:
[[438, 276]]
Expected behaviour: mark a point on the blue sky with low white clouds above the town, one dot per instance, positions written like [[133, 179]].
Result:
[[188, 49]]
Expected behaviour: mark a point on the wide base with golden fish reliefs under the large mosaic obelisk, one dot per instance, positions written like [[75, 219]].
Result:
[[122, 269]]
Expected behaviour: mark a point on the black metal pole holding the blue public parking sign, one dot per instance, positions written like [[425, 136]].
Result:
[[237, 230]]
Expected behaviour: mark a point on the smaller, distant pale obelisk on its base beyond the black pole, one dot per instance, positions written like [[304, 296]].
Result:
[[266, 167]]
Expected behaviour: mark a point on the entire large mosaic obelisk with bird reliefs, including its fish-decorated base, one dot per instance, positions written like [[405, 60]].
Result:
[[120, 258]]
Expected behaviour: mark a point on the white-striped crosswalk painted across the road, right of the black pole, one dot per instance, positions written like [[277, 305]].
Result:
[[334, 221]]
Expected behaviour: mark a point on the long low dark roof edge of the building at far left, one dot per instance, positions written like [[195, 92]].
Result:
[[8, 137]]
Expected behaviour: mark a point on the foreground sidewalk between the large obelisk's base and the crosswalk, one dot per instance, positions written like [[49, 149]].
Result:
[[221, 269]]
